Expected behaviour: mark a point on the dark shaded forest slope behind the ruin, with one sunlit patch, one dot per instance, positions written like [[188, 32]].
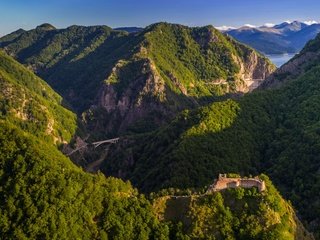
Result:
[[274, 130]]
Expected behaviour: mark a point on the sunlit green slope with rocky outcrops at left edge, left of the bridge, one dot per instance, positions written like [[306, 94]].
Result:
[[27, 101]]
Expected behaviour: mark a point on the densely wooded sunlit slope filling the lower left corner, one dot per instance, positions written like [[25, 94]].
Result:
[[44, 196]]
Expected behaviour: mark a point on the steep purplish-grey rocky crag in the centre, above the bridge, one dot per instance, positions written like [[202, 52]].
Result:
[[140, 102]]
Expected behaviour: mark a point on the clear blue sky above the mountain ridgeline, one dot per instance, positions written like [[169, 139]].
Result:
[[28, 14]]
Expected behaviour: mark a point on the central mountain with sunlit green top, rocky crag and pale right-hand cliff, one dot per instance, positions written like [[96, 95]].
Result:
[[158, 81]]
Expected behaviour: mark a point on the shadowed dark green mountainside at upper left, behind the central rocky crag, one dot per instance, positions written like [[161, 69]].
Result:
[[58, 56]]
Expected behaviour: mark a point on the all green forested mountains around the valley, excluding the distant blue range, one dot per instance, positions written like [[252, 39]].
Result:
[[181, 101]]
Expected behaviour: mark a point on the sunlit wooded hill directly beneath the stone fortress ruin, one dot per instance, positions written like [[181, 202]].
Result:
[[231, 214]]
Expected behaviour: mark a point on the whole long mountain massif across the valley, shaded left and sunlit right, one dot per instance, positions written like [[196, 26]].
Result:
[[121, 82]]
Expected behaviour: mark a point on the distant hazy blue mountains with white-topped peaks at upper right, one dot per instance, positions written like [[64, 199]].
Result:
[[287, 37]]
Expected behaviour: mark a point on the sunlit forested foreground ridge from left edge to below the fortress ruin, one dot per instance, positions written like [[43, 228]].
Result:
[[45, 196]]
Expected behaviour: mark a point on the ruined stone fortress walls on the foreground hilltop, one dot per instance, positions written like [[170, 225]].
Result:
[[224, 182]]
